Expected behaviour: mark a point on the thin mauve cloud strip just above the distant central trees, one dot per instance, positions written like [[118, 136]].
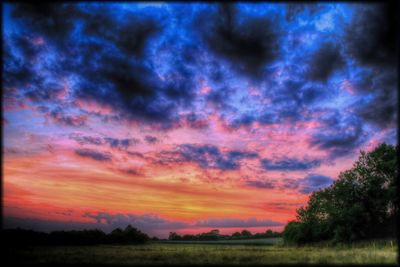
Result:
[[228, 223]]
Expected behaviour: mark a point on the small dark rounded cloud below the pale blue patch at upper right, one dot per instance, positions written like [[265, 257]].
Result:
[[324, 62]]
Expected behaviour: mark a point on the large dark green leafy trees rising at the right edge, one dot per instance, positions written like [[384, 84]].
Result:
[[361, 204]]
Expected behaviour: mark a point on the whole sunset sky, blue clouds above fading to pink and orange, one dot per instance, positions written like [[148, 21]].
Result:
[[188, 117]]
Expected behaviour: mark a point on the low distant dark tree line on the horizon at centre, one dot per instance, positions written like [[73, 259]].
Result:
[[215, 235]]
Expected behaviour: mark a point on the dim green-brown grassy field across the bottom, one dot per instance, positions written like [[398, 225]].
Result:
[[194, 254]]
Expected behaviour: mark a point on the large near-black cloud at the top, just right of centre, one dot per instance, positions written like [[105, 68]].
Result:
[[248, 43]]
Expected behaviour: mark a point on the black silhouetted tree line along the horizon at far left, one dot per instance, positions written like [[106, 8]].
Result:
[[22, 237]]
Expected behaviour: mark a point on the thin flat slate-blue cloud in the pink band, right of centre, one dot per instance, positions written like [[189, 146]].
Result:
[[290, 164]]
